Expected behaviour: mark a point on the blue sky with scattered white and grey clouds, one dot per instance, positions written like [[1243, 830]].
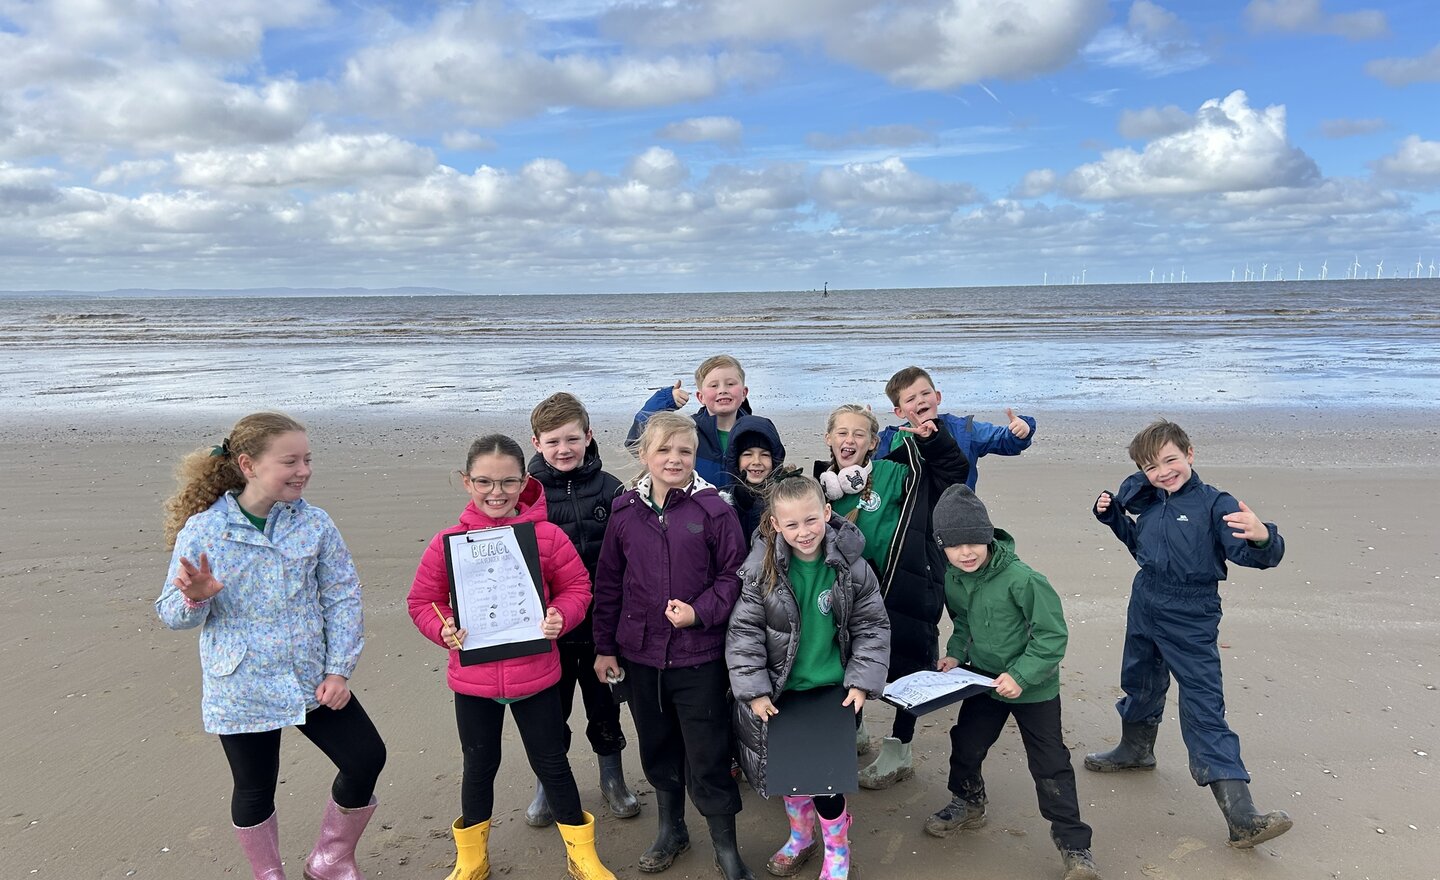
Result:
[[581, 146]]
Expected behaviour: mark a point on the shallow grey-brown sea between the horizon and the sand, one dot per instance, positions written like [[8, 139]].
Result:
[[1074, 348]]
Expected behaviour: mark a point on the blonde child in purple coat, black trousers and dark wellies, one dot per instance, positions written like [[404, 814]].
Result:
[[663, 597]]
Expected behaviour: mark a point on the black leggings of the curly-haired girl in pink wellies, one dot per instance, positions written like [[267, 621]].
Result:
[[346, 737]]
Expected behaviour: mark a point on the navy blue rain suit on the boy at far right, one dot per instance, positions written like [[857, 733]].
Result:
[[1173, 626]]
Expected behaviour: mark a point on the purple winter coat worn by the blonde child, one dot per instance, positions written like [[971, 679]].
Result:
[[692, 554]]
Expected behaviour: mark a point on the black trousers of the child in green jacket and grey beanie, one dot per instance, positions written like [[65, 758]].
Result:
[[976, 731]]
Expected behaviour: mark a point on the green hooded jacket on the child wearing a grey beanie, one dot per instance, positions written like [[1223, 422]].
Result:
[[1009, 620]]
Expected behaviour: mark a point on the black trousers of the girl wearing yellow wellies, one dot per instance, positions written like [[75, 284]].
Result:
[[482, 721]]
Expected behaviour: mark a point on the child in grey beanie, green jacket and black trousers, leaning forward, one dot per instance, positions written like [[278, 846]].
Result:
[[1009, 624]]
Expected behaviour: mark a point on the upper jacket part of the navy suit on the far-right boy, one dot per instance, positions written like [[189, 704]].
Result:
[[1182, 538]]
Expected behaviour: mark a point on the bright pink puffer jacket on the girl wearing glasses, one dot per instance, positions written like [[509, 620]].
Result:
[[567, 590]]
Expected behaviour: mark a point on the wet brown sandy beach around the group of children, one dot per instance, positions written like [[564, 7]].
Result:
[[1331, 662]]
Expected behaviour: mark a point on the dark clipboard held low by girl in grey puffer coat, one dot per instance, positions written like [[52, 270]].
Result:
[[811, 745]]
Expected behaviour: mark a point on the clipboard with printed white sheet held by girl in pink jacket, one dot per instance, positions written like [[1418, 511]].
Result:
[[463, 558]]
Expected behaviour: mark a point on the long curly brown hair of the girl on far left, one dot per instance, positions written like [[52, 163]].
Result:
[[211, 472]]
